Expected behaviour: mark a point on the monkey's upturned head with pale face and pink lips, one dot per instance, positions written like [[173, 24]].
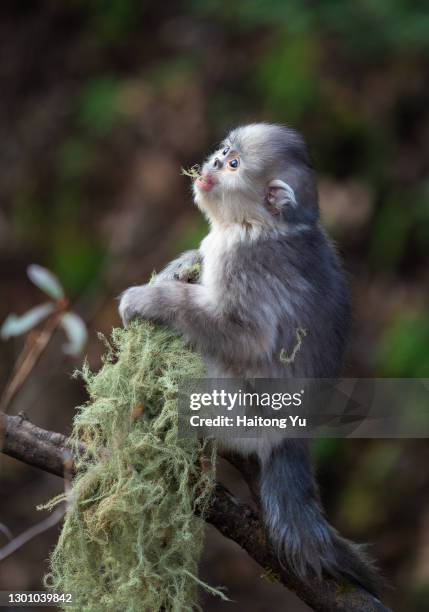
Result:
[[260, 175]]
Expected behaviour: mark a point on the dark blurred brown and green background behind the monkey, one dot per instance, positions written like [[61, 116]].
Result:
[[103, 102]]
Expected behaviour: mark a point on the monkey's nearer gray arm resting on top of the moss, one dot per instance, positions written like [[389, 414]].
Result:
[[190, 310]]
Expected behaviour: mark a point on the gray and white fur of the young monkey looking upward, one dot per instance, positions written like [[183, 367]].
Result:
[[267, 269]]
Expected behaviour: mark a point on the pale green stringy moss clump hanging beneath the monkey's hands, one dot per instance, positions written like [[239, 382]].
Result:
[[131, 540]]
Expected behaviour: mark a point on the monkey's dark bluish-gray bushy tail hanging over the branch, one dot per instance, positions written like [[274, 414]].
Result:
[[297, 526]]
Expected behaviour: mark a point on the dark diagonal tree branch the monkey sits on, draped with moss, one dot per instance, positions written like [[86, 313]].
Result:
[[236, 520]]
